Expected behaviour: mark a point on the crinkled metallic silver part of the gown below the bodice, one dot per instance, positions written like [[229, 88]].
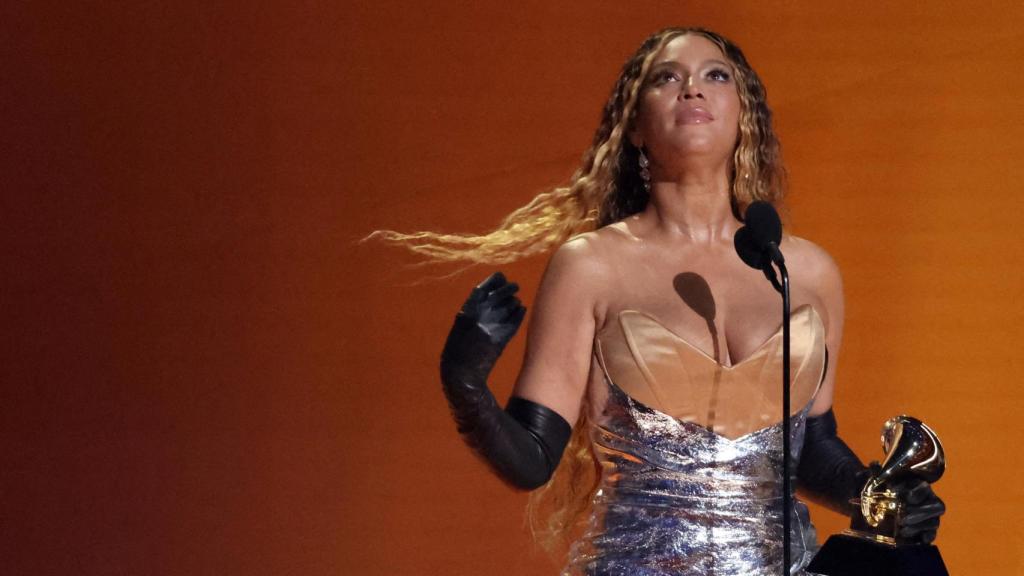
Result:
[[678, 500]]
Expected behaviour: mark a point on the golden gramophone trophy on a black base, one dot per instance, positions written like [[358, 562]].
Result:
[[872, 545]]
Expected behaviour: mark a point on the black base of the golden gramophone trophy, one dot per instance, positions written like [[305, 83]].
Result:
[[844, 555]]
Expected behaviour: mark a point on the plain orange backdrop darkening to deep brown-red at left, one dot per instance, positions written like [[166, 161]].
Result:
[[203, 374]]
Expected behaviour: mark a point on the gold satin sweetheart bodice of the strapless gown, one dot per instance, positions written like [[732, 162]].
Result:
[[661, 371]]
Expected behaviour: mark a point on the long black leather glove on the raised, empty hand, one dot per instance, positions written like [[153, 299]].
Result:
[[525, 442]]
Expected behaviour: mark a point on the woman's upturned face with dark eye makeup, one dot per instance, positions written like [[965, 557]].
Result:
[[690, 107]]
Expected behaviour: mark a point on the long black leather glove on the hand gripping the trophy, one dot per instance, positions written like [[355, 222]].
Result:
[[833, 473]]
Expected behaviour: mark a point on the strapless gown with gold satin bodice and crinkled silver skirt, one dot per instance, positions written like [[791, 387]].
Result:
[[694, 487]]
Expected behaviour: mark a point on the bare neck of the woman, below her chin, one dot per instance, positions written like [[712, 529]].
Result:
[[696, 205]]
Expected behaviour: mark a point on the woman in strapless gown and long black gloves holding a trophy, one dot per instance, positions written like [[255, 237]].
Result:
[[656, 343]]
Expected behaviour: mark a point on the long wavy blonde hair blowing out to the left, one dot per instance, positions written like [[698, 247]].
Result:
[[606, 189]]
